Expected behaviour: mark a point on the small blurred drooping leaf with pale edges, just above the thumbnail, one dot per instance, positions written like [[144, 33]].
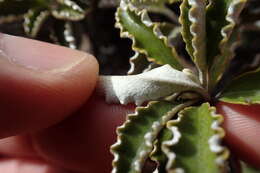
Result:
[[34, 20]]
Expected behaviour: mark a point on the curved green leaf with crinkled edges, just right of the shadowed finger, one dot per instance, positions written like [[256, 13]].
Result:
[[137, 134]]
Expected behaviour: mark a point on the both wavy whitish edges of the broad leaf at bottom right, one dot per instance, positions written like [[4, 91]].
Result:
[[214, 141]]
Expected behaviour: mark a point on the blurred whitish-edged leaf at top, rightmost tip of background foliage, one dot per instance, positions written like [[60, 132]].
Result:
[[68, 10]]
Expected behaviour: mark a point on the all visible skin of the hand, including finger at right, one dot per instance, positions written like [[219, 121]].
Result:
[[53, 122]]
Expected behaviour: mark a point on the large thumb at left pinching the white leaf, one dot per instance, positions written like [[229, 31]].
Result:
[[41, 84]]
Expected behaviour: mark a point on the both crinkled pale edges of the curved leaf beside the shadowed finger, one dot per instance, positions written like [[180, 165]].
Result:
[[149, 137]]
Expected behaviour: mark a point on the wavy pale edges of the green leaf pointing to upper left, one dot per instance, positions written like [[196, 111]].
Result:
[[143, 14]]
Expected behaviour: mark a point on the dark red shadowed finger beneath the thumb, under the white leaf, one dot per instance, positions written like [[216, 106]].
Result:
[[82, 142]]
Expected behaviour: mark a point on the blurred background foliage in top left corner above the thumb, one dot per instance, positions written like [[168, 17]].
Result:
[[35, 13]]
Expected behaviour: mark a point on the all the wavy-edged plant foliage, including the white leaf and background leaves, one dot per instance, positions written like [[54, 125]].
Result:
[[179, 129]]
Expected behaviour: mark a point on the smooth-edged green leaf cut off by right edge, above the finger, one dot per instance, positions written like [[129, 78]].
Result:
[[243, 90]]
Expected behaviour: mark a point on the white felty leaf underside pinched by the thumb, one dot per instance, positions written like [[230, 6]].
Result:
[[157, 83]]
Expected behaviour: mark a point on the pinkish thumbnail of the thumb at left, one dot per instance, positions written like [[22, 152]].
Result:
[[38, 55]]
